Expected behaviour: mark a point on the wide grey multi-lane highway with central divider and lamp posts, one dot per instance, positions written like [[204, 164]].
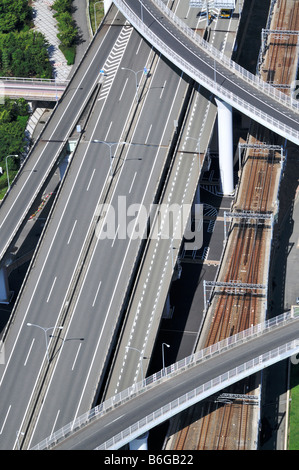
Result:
[[70, 250]]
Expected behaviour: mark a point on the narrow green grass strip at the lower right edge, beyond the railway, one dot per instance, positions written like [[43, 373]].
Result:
[[294, 409]]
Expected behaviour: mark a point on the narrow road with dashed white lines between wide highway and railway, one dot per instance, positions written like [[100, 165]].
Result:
[[161, 259]]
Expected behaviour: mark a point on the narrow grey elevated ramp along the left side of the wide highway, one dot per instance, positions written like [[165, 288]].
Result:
[[45, 154]]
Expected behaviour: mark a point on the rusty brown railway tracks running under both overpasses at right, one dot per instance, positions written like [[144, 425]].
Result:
[[221, 426]]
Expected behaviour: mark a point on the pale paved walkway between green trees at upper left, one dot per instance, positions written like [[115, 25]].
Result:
[[45, 22]]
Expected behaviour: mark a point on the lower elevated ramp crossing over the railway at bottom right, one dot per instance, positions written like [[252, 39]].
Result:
[[145, 405]]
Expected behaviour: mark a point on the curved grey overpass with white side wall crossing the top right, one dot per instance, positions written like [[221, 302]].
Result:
[[207, 66]]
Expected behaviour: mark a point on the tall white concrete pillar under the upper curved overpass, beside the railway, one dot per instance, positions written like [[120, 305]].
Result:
[[225, 137]]
